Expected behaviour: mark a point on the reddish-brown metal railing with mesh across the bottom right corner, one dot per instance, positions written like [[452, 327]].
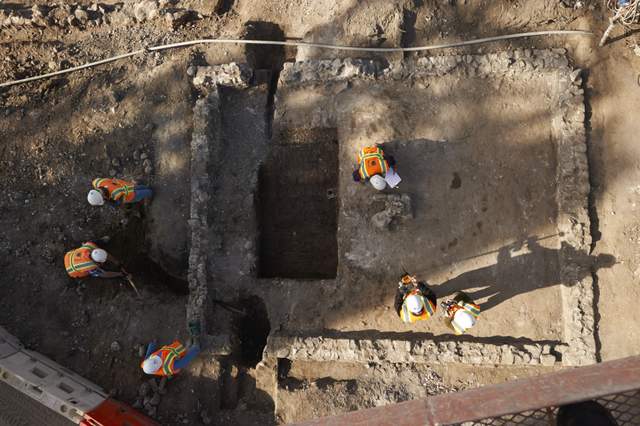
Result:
[[531, 401]]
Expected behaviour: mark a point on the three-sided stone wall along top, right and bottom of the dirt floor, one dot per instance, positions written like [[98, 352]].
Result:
[[572, 197]]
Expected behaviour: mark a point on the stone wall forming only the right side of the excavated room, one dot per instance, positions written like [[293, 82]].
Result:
[[573, 220]]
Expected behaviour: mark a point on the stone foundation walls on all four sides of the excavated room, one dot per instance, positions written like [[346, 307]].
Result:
[[578, 346]]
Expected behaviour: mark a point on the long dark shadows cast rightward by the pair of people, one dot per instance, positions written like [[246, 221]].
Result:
[[514, 274]]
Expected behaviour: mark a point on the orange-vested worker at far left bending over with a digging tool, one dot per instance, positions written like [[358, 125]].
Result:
[[88, 261]]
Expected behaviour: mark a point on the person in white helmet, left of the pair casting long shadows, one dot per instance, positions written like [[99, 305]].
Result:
[[414, 301]]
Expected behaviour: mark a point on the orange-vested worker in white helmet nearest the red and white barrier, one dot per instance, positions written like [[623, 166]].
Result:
[[169, 359]]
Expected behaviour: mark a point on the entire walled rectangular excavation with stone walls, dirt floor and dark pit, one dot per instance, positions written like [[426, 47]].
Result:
[[489, 211]]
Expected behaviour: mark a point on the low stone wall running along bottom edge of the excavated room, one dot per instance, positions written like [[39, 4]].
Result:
[[320, 348]]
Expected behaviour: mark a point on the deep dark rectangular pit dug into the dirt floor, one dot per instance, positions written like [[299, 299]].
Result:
[[297, 206]]
